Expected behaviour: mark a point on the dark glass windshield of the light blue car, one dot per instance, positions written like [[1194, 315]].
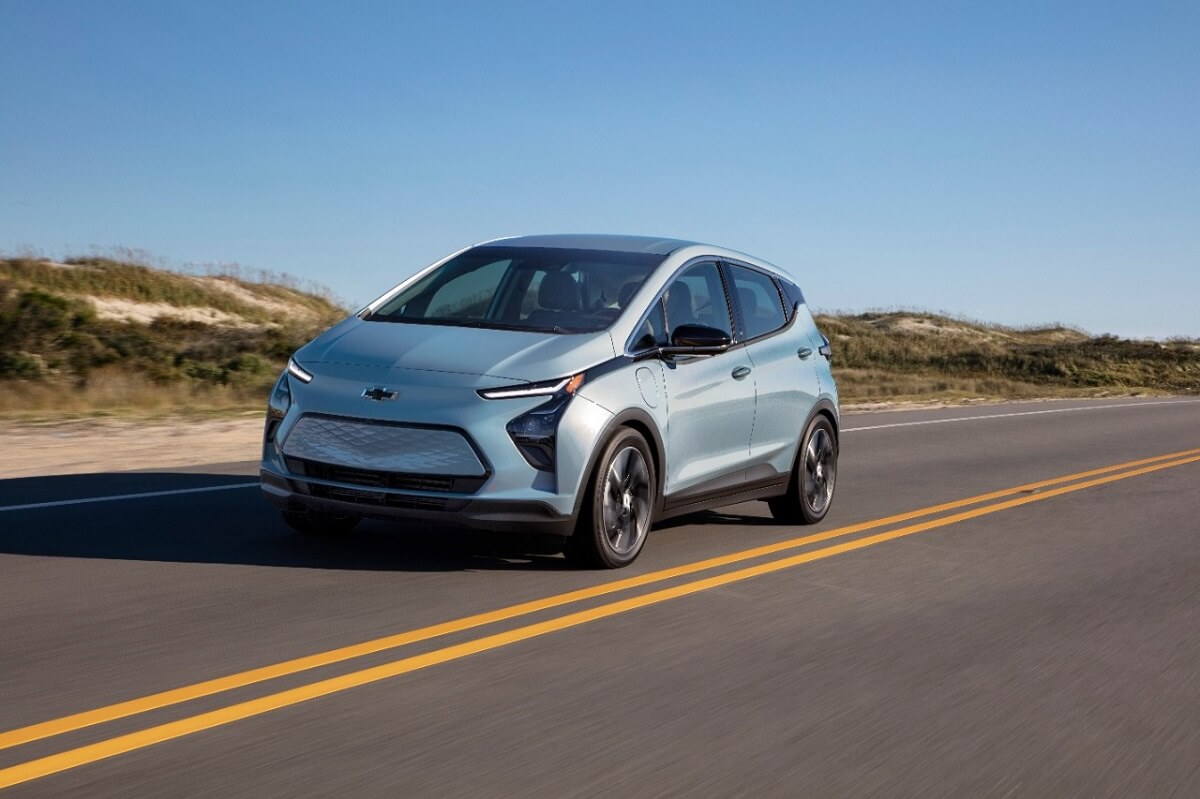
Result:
[[539, 290]]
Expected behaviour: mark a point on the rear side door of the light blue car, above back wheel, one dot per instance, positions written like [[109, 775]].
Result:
[[784, 362]]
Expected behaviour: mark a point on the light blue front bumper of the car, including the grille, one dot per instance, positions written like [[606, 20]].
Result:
[[436, 454]]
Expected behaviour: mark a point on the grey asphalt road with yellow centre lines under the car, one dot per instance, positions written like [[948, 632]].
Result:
[[1041, 640]]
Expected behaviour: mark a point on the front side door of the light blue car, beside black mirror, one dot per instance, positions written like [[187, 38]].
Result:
[[710, 398]]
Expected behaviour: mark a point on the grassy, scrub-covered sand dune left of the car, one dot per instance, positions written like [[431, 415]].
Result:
[[59, 352]]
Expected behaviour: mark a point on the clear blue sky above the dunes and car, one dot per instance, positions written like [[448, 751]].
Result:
[[1018, 163]]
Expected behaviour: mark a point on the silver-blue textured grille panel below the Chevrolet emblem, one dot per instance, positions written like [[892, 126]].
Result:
[[383, 448]]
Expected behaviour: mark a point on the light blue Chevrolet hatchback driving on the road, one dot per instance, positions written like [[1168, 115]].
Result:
[[580, 387]]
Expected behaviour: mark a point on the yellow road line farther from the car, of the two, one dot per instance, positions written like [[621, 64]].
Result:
[[122, 744]]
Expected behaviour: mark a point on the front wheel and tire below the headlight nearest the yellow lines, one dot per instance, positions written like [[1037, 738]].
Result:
[[619, 507]]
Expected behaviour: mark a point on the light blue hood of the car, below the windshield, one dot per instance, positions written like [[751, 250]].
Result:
[[503, 355]]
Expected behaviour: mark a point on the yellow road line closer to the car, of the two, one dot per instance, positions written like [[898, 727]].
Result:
[[242, 680]]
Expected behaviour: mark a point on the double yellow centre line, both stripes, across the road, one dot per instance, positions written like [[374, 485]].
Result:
[[70, 759]]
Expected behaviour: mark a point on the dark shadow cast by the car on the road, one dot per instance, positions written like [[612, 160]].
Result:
[[223, 519]]
